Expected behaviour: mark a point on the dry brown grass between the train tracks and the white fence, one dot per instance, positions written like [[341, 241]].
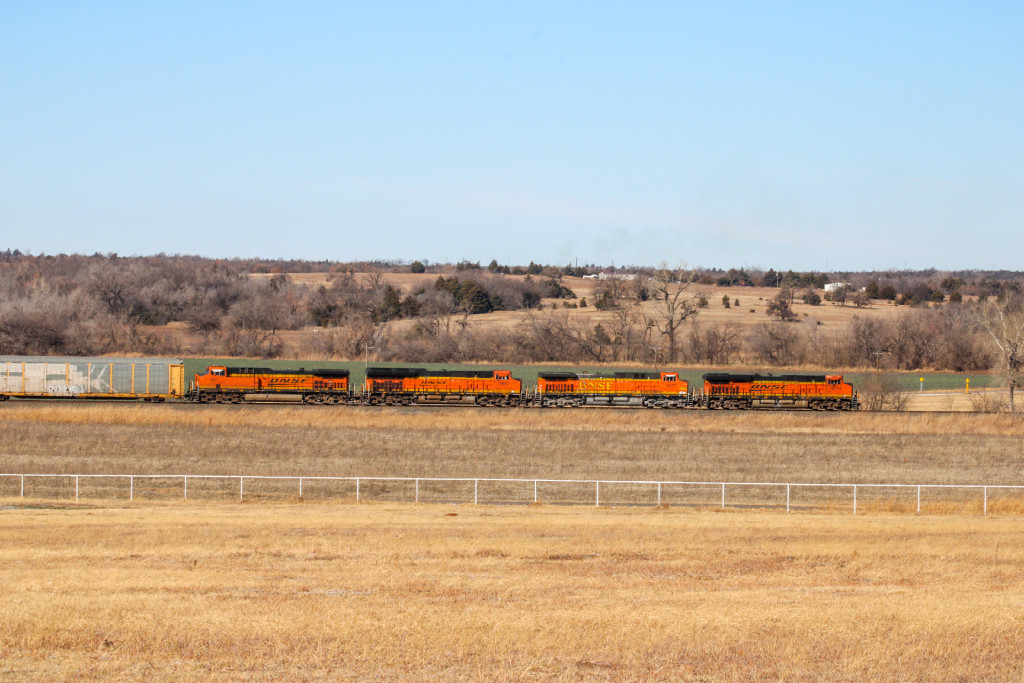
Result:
[[282, 441]]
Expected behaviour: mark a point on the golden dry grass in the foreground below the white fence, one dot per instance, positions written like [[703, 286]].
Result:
[[326, 592]]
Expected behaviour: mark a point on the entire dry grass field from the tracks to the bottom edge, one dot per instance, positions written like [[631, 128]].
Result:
[[279, 588]]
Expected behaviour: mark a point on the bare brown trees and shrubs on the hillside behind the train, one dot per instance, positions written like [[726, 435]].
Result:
[[103, 305]]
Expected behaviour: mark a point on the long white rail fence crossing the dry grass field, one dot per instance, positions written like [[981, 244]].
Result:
[[736, 495]]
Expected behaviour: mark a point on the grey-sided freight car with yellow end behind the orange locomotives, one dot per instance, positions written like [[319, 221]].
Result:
[[103, 378]]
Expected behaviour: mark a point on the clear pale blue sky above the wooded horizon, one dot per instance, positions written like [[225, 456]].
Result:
[[808, 136]]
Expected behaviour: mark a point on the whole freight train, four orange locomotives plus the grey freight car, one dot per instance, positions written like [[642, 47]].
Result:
[[159, 379]]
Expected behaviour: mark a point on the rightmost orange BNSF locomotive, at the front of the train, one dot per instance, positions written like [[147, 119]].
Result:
[[818, 393]]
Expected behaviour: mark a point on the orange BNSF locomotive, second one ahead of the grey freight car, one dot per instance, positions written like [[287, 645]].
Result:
[[404, 387]]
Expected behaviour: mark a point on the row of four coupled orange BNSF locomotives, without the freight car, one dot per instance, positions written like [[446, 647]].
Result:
[[406, 387]]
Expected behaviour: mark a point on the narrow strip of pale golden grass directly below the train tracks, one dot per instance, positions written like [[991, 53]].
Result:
[[462, 419]]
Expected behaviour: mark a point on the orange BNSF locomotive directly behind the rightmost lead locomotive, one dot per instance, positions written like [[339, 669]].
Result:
[[650, 390]]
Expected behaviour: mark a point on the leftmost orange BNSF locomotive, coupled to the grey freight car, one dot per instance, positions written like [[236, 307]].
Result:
[[223, 385]]
